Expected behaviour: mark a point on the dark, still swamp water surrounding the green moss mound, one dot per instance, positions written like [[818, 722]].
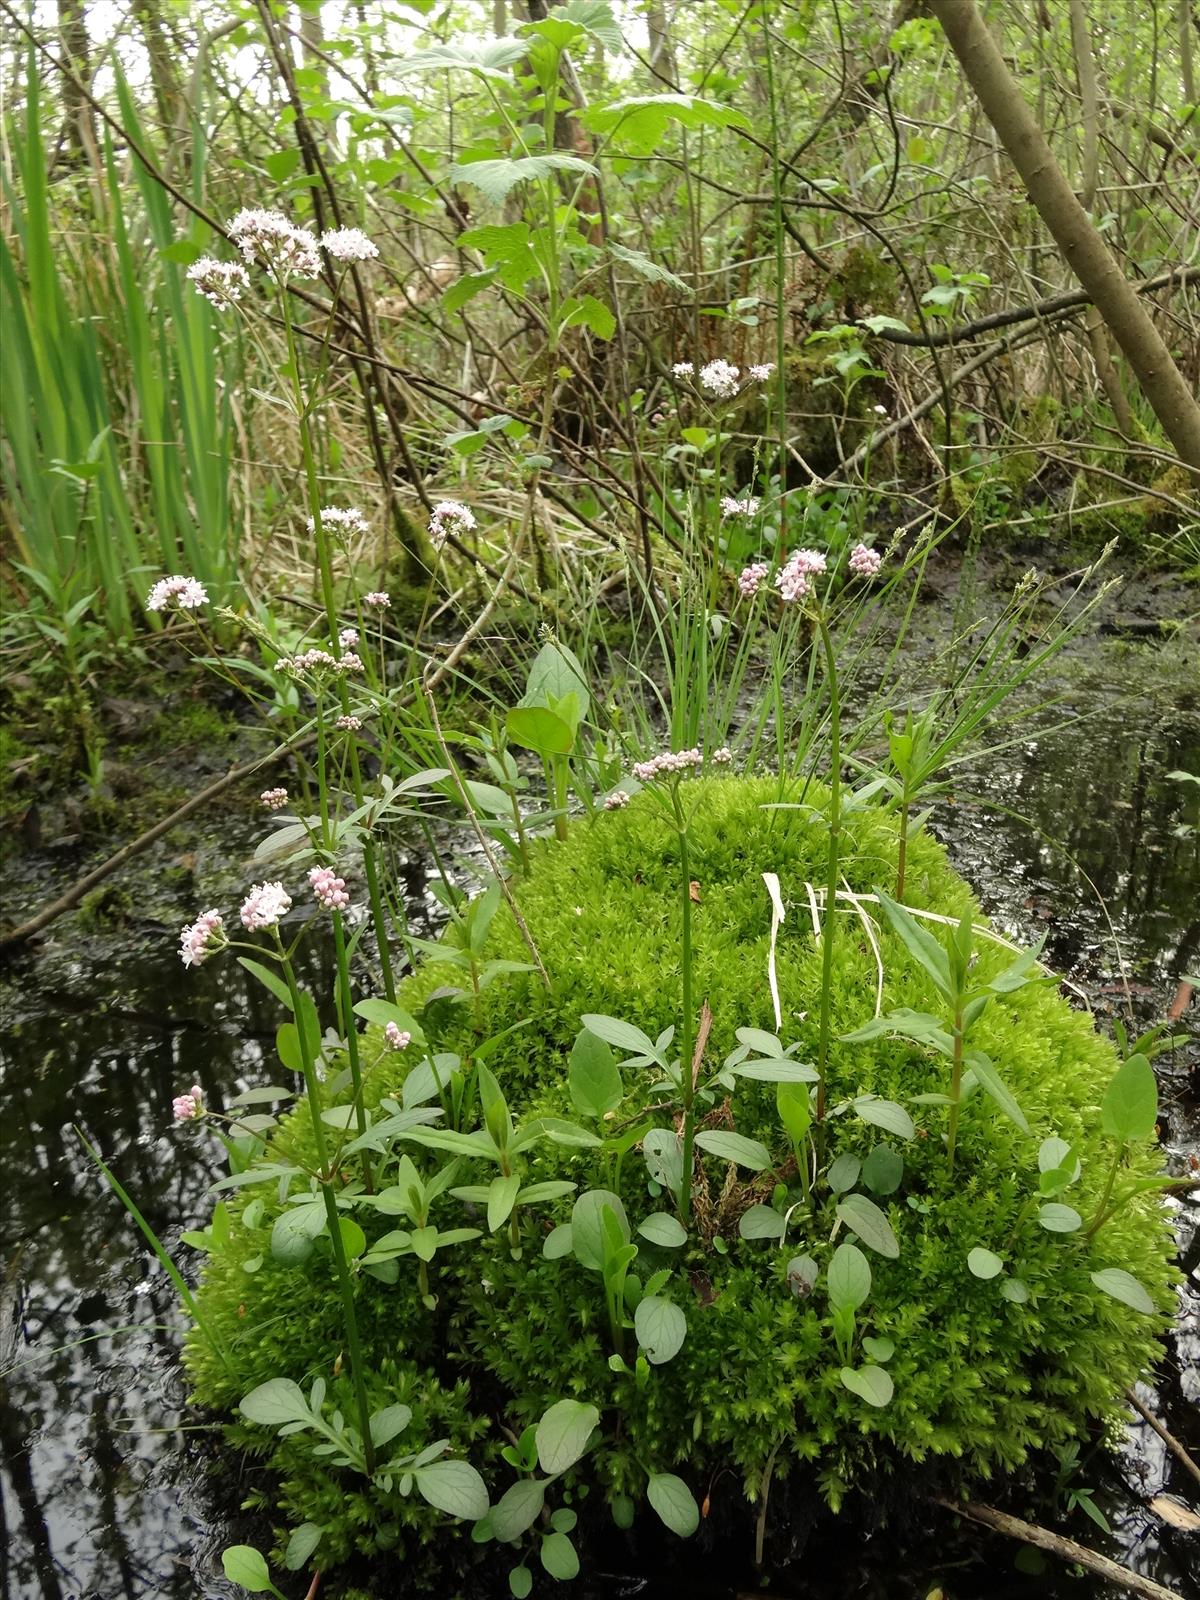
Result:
[[111, 1489]]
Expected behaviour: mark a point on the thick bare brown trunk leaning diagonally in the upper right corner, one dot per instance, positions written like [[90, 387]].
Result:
[[1086, 252]]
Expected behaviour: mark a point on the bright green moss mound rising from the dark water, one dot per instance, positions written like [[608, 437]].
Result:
[[982, 1380]]
